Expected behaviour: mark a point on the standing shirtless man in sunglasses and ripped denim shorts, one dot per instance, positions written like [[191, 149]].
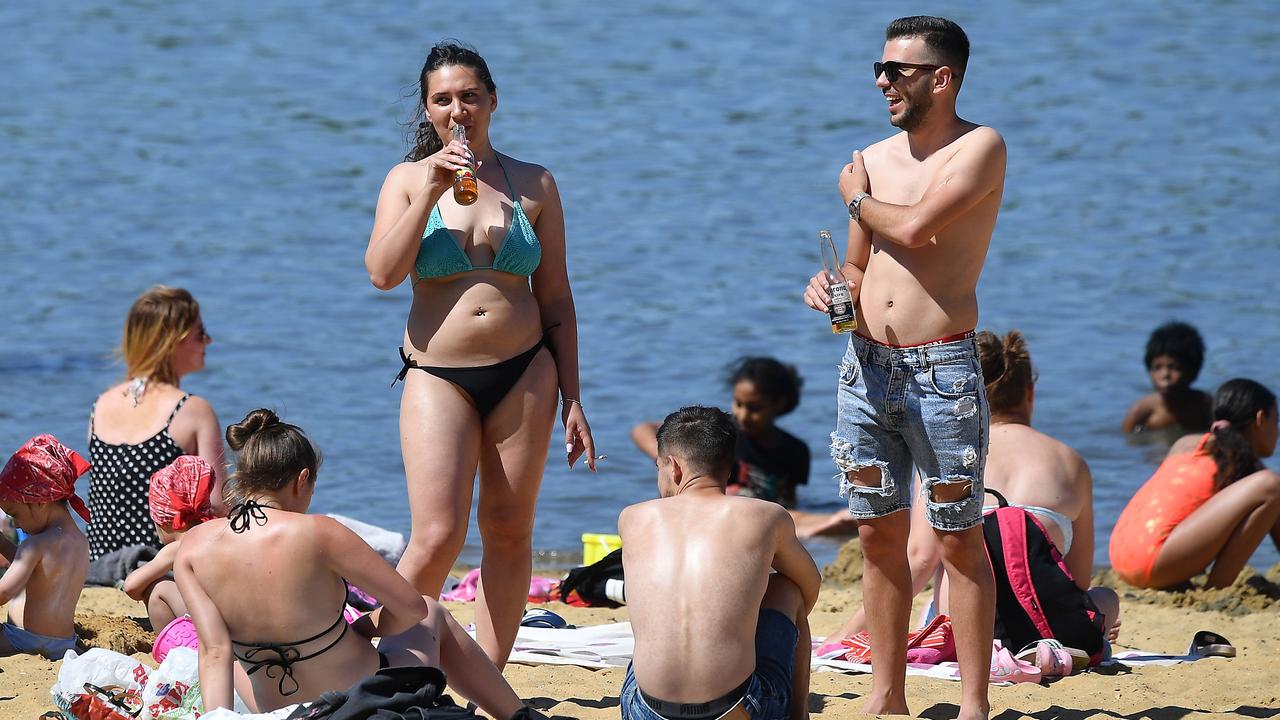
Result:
[[922, 208]]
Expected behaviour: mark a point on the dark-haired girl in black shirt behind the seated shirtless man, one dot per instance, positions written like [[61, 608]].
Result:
[[771, 462]]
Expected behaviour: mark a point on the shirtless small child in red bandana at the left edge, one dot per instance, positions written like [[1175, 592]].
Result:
[[48, 571]]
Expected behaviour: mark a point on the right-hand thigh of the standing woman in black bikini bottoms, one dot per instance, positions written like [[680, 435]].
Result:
[[514, 449]]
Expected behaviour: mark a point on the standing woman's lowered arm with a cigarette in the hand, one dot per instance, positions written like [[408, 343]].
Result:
[[556, 303]]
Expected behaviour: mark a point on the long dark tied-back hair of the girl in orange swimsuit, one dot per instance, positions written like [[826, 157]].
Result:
[[1237, 404]]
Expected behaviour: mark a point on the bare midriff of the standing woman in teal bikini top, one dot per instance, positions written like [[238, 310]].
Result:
[[469, 320]]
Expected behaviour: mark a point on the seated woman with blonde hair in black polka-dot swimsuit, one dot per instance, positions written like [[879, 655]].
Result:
[[145, 422]]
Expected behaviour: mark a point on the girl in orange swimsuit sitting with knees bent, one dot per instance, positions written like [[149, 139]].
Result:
[[1210, 503]]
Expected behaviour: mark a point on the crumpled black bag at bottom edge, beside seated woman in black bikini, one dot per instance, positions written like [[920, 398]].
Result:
[[392, 694]]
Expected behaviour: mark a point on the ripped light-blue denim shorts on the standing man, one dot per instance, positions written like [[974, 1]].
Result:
[[921, 407]]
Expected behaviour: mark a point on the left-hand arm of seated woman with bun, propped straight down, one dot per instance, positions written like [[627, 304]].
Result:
[[216, 641]]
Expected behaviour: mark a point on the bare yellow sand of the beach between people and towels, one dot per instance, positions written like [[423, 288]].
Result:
[[1159, 622]]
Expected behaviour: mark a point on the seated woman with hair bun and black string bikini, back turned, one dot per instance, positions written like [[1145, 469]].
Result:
[[267, 589]]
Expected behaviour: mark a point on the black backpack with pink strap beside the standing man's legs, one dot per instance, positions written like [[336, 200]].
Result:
[[1036, 596]]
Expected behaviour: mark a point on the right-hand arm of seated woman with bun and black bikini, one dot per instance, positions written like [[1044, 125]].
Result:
[[353, 559]]
